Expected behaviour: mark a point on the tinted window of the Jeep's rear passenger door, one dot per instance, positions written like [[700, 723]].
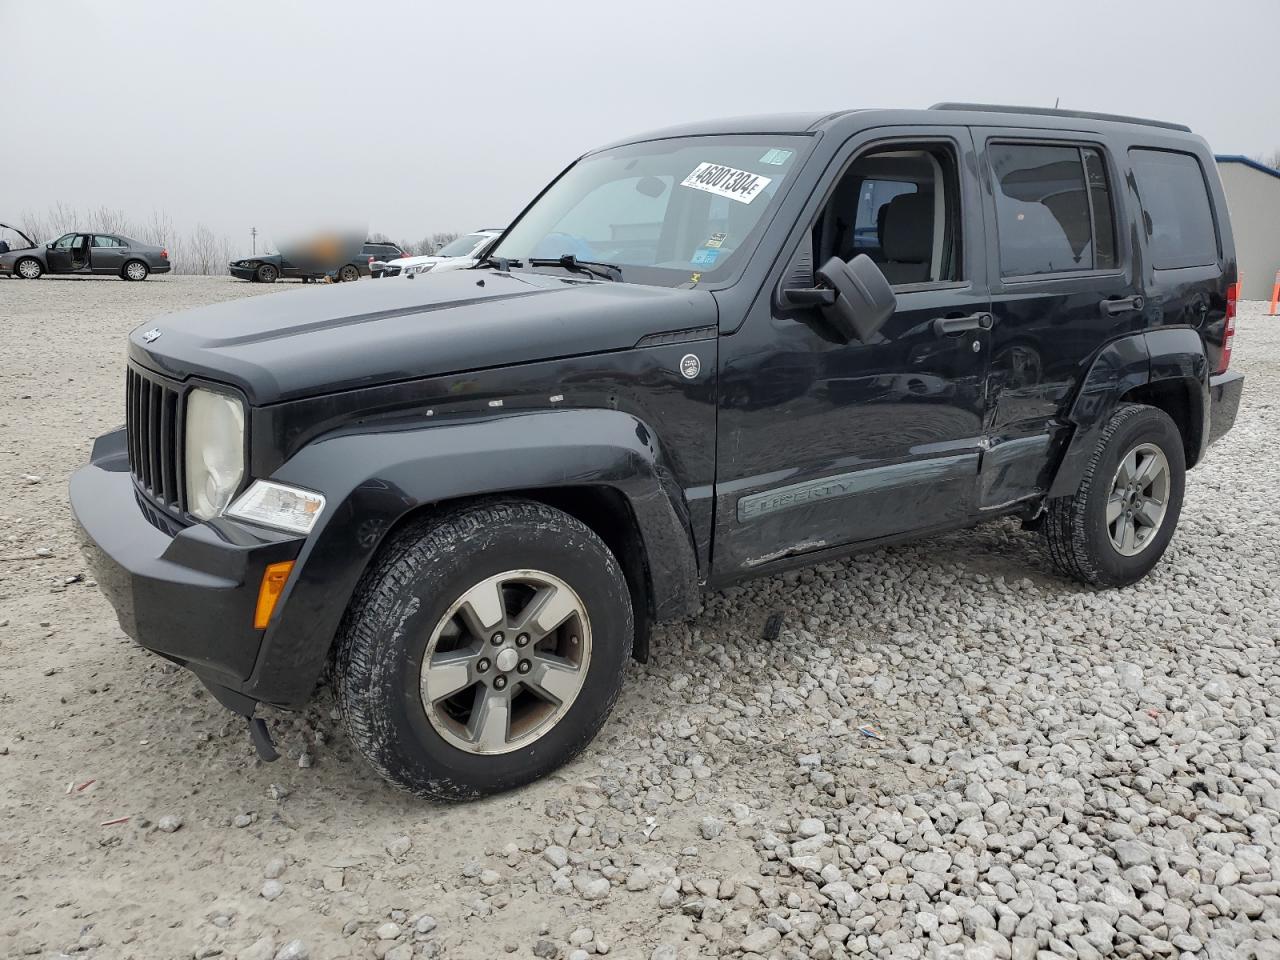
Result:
[[1054, 211]]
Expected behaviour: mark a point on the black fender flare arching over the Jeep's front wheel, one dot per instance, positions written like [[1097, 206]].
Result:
[[376, 474]]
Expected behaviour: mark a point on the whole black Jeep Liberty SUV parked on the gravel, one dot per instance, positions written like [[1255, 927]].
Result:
[[698, 356]]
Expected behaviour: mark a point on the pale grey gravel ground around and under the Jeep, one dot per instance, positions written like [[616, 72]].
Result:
[[948, 752]]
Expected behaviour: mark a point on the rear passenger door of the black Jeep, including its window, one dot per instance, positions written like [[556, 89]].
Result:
[[1063, 284]]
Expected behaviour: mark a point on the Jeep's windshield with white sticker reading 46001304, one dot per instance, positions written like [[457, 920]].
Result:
[[668, 212]]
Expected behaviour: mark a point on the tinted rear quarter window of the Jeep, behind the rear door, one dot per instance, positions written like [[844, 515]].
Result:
[[1177, 214]]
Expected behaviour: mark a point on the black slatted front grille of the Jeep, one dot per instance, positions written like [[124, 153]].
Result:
[[154, 410]]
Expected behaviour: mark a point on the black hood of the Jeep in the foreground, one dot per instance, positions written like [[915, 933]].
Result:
[[287, 346]]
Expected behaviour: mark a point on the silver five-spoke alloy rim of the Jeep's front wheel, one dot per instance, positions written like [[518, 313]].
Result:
[[506, 662]]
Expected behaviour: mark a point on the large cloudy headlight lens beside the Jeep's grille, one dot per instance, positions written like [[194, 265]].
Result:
[[216, 451]]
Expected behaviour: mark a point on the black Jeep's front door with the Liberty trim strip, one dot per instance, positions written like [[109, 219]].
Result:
[[825, 444]]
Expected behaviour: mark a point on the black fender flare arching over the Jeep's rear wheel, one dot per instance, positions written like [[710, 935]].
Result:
[[1169, 356]]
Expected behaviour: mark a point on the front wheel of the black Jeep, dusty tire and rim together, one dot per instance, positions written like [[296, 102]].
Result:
[[404, 612]]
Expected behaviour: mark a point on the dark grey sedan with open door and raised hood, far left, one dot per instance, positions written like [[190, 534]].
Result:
[[107, 254]]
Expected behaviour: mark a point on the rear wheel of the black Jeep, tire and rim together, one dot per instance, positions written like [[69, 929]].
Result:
[[1084, 545]]
